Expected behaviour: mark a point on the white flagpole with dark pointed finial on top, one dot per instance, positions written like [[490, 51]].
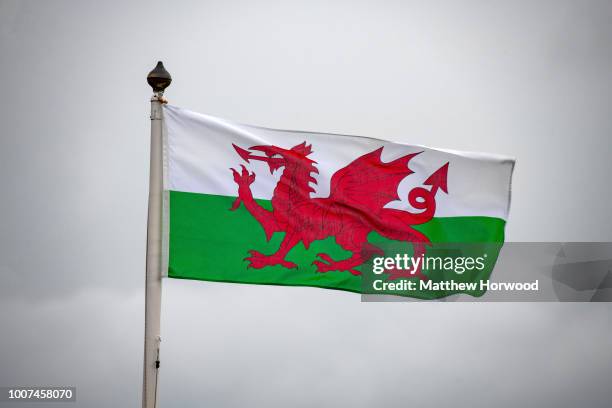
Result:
[[159, 79]]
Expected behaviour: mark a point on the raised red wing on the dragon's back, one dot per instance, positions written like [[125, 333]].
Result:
[[369, 184]]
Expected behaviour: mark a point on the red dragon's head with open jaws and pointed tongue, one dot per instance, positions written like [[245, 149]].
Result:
[[277, 157]]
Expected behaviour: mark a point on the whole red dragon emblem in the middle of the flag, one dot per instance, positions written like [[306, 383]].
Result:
[[354, 208]]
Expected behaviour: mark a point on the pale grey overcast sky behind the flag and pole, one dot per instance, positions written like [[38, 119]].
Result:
[[529, 79]]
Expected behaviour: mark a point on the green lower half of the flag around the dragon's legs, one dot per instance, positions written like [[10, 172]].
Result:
[[209, 242]]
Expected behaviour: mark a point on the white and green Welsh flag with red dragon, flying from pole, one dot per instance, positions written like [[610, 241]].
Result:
[[248, 204]]
